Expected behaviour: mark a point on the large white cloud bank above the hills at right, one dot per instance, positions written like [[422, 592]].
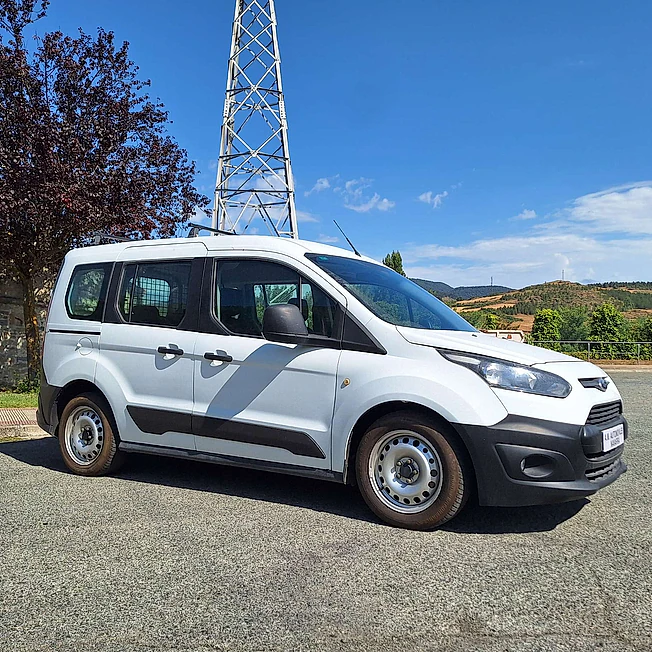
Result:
[[603, 236]]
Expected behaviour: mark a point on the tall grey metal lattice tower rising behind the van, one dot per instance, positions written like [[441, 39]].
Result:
[[254, 176]]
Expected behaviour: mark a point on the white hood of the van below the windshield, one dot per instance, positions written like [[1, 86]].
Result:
[[483, 344]]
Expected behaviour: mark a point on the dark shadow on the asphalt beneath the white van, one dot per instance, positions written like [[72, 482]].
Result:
[[308, 493]]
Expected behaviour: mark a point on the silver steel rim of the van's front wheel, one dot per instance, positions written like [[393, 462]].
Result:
[[405, 472]]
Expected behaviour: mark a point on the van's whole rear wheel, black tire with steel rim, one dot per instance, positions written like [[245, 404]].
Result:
[[101, 455]]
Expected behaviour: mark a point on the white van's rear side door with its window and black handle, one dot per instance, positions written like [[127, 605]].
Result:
[[146, 355]]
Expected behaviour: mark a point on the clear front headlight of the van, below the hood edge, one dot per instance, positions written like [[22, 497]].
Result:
[[508, 375]]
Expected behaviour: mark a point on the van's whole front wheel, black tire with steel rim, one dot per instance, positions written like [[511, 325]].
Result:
[[437, 453]]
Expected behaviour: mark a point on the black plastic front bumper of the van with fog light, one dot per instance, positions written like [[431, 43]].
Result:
[[522, 461]]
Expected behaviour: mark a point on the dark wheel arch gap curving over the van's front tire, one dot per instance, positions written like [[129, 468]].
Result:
[[382, 409]]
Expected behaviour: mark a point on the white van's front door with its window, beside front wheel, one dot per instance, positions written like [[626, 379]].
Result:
[[262, 400]]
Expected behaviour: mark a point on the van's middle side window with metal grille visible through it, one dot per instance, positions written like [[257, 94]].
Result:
[[154, 294]]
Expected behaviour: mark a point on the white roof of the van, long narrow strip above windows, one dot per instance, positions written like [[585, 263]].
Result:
[[268, 243]]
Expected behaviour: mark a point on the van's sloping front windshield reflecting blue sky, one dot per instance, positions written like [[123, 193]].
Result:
[[390, 296]]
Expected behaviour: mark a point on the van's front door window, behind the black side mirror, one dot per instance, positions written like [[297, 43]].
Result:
[[245, 288]]
